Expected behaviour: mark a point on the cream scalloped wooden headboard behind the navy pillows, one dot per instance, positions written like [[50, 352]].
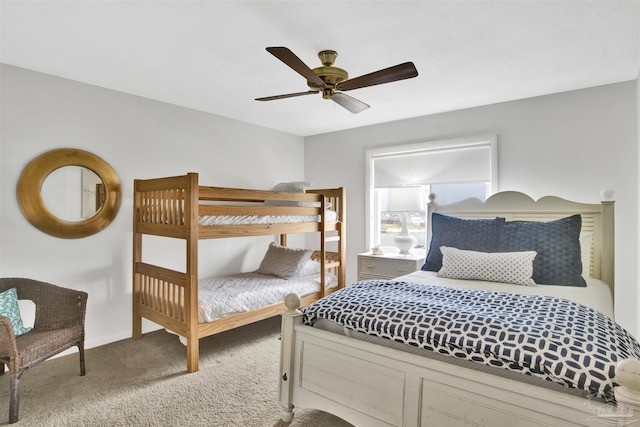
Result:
[[512, 205]]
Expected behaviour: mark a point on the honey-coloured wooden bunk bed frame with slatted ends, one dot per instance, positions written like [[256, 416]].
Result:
[[176, 206]]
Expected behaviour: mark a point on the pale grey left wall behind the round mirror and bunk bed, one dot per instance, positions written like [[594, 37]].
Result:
[[139, 138]]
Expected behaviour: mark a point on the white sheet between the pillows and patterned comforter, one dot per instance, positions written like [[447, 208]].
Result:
[[596, 295]]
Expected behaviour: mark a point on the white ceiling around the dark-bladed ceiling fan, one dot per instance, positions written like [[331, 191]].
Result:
[[210, 55]]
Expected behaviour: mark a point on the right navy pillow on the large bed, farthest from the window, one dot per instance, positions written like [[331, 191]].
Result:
[[557, 244]]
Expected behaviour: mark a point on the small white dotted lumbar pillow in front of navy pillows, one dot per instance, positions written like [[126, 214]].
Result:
[[504, 267]]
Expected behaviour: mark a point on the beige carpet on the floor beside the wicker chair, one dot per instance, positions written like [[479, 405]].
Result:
[[144, 383]]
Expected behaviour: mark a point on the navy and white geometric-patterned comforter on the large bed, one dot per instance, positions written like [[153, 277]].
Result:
[[548, 337]]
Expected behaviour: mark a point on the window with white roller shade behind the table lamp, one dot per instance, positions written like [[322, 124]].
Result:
[[400, 179]]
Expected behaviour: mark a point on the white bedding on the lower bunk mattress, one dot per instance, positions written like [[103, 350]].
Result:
[[226, 295]]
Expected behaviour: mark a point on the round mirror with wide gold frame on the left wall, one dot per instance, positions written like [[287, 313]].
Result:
[[98, 189]]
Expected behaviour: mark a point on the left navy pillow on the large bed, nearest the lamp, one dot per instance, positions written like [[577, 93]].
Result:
[[469, 234]]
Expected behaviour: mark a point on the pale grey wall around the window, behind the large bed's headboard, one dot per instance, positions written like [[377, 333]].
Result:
[[569, 144]]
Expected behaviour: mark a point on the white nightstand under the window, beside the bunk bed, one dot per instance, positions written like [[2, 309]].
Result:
[[387, 266]]
